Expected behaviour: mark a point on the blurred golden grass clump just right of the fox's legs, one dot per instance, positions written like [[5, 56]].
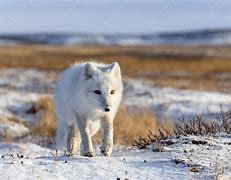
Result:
[[130, 125]]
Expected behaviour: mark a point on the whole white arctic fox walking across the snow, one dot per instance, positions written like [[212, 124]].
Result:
[[87, 97]]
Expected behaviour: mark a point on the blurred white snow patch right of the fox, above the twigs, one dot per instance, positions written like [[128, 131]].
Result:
[[172, 103]]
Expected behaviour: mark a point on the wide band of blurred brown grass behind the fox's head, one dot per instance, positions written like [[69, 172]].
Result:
[[135, 62]]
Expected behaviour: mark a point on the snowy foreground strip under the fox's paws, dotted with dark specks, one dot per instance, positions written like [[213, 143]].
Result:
[[210, 156]]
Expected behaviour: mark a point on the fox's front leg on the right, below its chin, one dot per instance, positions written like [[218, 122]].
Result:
[[107, 143]]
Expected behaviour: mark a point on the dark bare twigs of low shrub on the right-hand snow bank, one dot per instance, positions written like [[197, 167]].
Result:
[[197, 125]]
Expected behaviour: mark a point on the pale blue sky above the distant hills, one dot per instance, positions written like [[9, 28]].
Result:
[[113, 16]]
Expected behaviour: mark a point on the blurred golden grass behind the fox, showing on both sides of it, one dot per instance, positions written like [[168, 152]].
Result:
[[128, 125]]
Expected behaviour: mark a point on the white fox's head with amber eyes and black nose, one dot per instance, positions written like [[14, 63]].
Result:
[[103, 86]]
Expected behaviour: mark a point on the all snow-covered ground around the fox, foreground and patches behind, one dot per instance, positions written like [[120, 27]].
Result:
[[19, 88]]
